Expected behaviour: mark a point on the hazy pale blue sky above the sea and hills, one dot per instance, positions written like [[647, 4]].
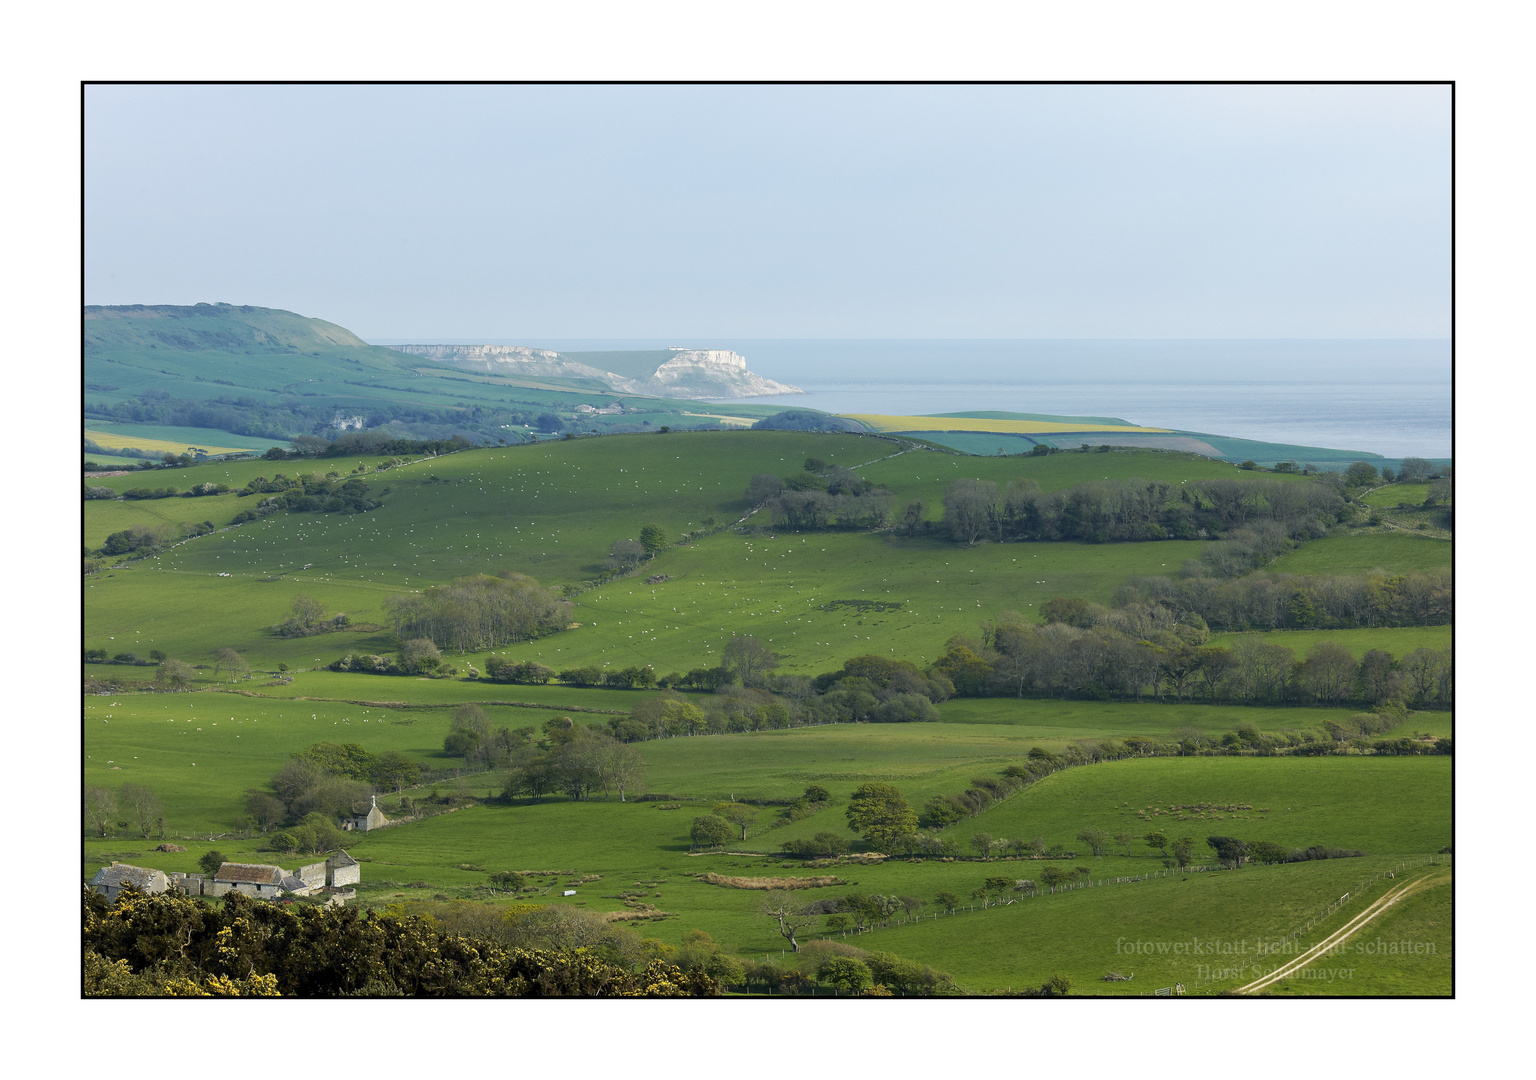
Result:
[[437, 213]]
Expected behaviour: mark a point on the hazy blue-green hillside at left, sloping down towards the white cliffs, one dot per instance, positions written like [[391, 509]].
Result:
[[271, 376]]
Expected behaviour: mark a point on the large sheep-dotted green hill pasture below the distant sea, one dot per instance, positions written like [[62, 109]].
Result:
[[548, 511]]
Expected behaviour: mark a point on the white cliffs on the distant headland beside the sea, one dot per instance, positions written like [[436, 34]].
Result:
[[686, 374]]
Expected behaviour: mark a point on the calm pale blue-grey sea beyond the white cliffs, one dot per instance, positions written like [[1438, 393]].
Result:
[[1386, 397]]
